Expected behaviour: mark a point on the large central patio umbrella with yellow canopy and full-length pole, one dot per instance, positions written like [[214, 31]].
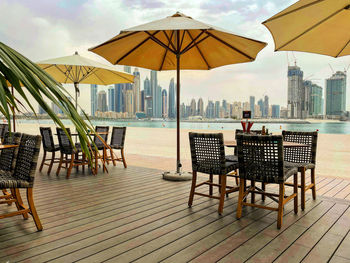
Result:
[[178, 42]]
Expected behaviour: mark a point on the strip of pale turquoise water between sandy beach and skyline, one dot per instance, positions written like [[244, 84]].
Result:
[[322, 127]]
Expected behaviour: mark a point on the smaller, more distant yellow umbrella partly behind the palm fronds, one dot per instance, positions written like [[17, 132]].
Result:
[[77, 69]]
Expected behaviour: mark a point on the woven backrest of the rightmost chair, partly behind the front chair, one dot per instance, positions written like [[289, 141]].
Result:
[[300, 154]]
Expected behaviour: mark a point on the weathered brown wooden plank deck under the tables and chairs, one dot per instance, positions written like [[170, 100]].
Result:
[[133, 215]]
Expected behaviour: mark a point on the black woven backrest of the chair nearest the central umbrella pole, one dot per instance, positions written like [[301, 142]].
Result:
[[207, 152]]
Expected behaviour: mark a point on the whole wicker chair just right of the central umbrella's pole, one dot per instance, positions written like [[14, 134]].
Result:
[[208, 156]]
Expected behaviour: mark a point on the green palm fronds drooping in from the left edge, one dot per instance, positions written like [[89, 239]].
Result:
[[19, 73]]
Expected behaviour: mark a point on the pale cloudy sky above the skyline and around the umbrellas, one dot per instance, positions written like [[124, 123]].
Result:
[[42, 29]]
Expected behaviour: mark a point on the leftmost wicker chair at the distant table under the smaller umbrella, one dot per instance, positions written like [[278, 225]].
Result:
[[49, 147]]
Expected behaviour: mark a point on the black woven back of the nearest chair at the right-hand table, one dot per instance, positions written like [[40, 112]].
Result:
[[260, 158]]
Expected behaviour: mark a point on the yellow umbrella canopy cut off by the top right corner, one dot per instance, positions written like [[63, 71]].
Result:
[[315, 26]]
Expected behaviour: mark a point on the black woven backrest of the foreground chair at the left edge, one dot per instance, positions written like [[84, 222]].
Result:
[[27, 158]]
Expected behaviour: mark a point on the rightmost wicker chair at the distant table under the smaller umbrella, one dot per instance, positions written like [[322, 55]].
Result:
[[117, 143]]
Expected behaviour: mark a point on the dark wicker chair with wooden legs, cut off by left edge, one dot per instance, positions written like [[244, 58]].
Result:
[[22, 176]]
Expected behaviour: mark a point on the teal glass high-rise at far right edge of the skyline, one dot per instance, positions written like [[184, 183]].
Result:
[[336, 94]]
